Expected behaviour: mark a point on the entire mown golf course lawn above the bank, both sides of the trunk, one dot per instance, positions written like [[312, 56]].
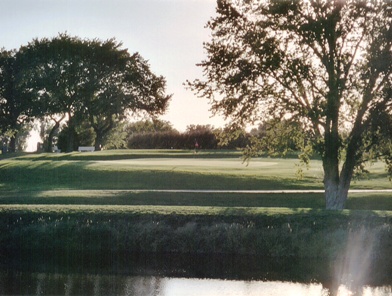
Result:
[[95, 178]]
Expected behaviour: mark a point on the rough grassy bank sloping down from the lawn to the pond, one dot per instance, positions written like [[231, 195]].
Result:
[[273, 232]]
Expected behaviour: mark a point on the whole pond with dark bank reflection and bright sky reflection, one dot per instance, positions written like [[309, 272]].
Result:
[[185, 275]]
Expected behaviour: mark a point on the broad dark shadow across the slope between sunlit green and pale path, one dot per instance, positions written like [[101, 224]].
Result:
[[49, 175]]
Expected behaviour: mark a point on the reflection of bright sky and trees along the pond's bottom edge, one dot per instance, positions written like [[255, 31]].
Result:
[[20, 283]]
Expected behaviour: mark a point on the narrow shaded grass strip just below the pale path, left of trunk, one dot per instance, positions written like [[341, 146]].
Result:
[[165, 199]]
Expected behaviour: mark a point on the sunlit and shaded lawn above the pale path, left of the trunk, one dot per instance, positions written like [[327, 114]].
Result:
[[148, 171]]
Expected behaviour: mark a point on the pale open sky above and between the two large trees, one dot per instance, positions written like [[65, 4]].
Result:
[[168, 33]]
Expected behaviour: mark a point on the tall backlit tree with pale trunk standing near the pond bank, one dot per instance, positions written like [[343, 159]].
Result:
[[325, 64]]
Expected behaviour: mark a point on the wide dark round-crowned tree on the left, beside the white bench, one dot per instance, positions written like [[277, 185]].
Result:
[[91, 80]]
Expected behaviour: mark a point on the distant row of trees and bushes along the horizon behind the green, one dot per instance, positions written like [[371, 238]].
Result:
[[160, 134]]
